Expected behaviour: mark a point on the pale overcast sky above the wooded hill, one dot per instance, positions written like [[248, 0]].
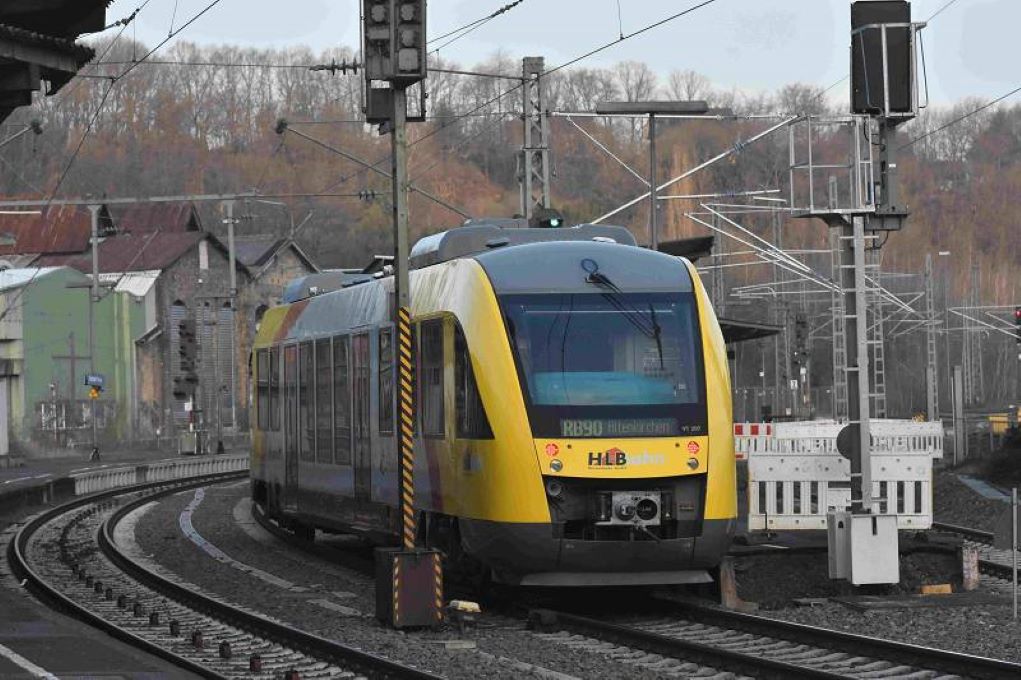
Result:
[[971, 48]]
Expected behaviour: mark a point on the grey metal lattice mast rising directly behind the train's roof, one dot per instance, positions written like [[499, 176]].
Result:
[[534, 172]]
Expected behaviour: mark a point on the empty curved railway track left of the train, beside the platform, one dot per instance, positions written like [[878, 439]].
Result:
[[69, 558]]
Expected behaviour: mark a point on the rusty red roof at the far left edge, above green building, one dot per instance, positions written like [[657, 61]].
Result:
[[62, 230]]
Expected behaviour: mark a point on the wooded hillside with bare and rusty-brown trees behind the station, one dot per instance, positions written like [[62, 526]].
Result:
[[210, 127]]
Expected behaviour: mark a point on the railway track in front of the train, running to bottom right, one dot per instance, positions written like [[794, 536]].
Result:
[[768, 649]]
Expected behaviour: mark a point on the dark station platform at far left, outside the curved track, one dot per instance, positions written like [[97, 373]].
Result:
[[36, 642]]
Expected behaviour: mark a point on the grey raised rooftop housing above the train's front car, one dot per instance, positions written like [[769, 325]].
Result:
[[478, 236]]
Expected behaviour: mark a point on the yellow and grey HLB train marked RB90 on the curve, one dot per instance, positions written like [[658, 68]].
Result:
[[573, 400]]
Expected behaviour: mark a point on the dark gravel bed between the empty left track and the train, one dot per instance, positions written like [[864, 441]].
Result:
[[505, 649]]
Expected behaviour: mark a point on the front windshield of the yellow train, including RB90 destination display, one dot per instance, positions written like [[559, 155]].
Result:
[[610, 364]]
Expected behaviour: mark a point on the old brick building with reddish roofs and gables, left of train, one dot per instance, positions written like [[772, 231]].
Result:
[[173, 271]]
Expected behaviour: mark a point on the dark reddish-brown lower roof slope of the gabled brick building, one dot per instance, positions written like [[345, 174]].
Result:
[[133, 253]]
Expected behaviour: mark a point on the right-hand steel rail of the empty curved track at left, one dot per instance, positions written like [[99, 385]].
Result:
[[371, 665]]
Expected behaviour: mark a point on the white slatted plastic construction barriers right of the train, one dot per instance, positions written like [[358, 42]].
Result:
[[797, 475]]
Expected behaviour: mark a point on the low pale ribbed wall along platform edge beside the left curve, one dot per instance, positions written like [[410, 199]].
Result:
[[112, 478]]
